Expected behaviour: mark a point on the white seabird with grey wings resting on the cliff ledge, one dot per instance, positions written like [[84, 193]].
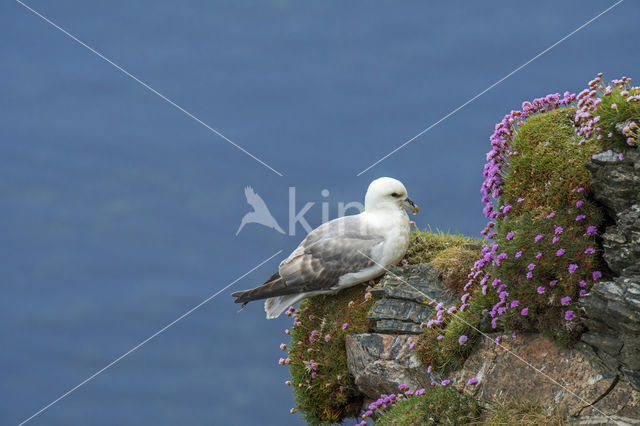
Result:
[[343, 252]]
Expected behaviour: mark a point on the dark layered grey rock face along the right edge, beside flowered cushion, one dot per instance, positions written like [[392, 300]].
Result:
[[612, 308]]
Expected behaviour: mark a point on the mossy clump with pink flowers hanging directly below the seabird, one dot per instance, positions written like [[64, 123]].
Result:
[[324, 390]]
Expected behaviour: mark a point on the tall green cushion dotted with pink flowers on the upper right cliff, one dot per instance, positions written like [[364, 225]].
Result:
[[547, 231]]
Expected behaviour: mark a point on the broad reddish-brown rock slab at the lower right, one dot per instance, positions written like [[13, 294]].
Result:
[[501, 376]]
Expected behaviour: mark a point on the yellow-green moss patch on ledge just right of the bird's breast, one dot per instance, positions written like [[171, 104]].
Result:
[[426, 245]]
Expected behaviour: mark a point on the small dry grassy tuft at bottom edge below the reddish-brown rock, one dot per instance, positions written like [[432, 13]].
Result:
[[522, 412]]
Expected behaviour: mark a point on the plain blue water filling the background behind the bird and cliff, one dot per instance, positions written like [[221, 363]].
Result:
[[118, 212]]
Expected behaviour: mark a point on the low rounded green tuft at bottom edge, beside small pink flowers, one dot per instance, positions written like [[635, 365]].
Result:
[[439, 405]]
